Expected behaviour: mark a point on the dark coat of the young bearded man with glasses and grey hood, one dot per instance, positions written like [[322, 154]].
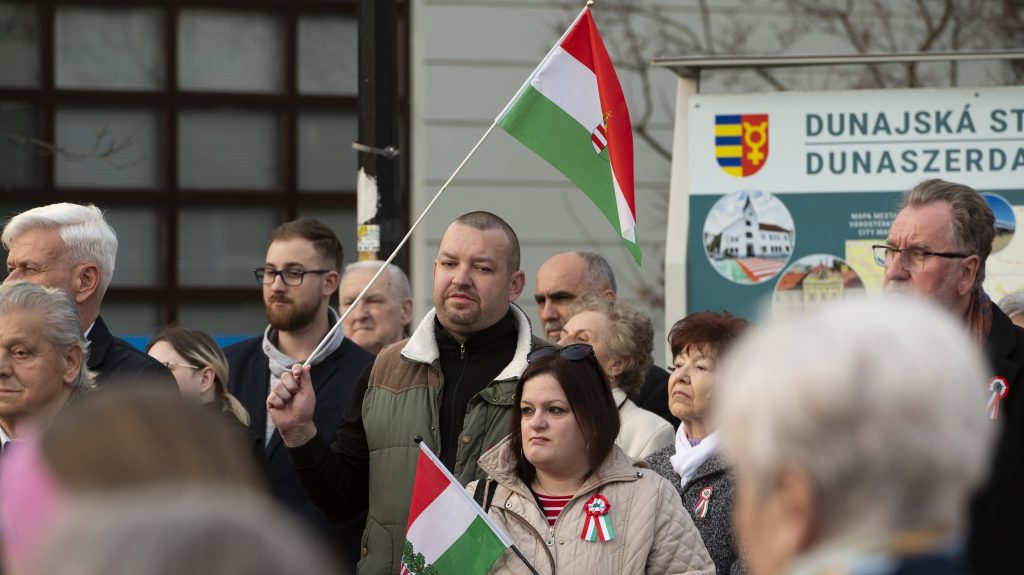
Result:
[[334, 379]]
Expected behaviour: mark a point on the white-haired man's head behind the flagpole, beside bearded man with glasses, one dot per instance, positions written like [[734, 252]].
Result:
[[382, 318]]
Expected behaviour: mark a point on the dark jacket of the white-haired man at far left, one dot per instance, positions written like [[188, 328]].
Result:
[[116, 361]]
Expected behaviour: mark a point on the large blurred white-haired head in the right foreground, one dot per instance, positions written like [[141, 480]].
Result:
[[861, 427]]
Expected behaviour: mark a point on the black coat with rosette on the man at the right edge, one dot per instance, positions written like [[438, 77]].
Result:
[[996, 543]]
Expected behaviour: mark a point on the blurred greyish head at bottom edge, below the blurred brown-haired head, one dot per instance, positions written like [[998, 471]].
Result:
[[169, 532]]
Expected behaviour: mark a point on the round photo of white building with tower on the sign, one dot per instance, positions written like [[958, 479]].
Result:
[[749, 237]]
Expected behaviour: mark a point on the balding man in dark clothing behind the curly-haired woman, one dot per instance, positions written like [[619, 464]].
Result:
[[566, 277]]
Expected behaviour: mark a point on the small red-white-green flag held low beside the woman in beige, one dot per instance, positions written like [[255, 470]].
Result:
[[448, 533]]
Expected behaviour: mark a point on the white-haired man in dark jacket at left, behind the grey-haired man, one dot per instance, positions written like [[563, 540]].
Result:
[[72, 248]]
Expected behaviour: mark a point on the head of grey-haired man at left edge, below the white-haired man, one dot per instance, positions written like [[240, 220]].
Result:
[[42, 358]]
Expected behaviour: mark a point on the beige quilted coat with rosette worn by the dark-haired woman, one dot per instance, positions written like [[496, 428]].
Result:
[[654, 535]]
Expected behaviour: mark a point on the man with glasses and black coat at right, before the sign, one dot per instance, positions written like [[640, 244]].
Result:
[[937, 249]]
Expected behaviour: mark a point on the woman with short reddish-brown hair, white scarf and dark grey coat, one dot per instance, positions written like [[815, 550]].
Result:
[[693, 465]]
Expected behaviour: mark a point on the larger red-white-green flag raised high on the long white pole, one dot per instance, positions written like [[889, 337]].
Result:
[[572, 113]]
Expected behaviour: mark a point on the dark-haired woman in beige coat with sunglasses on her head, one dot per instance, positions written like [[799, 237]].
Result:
[[570, 499]]
